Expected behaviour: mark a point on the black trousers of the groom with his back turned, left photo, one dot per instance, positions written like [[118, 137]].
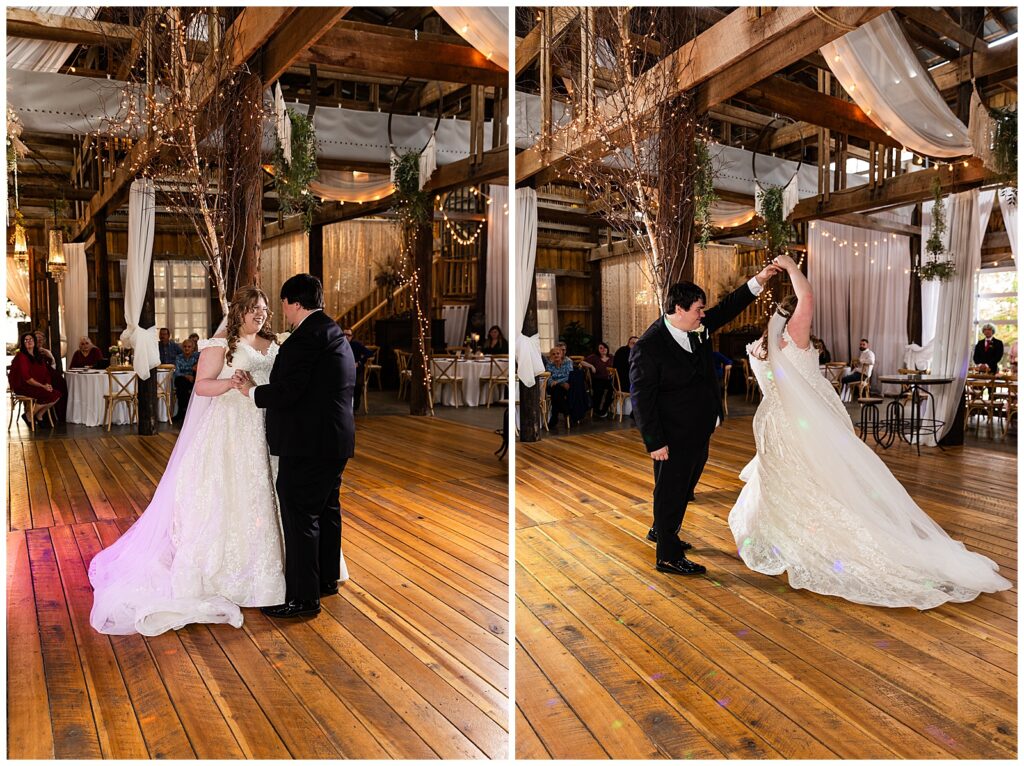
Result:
[[311, 517]]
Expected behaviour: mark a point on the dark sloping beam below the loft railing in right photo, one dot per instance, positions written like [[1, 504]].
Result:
[[903, 190]]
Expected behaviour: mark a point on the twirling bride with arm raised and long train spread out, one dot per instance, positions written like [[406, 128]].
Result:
[[821, 505]]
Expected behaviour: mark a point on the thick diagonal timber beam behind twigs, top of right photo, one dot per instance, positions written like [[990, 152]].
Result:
[[730, 58]]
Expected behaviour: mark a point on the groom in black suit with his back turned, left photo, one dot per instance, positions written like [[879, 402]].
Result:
[[310, 425]]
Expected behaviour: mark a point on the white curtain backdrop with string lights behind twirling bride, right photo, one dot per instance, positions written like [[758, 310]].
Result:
[[862, 282]]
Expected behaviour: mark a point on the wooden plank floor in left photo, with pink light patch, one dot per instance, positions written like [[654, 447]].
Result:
[[409, 661]]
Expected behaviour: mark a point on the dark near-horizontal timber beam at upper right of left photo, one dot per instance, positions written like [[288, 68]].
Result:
[[366, 49]]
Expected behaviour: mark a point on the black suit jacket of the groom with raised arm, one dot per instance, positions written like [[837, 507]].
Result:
[[676, 396]]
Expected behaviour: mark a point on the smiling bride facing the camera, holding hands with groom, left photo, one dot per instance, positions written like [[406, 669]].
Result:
[[210, 541]]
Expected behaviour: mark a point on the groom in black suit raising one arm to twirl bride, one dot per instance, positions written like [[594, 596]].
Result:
[[678, 404]]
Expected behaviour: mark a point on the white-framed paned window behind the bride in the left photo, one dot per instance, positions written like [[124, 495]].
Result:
[[182, 297]]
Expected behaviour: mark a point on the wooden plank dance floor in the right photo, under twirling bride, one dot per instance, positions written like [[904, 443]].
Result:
[[616, 660]]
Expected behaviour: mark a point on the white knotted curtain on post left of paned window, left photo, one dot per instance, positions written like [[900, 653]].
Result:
[[142, 226]]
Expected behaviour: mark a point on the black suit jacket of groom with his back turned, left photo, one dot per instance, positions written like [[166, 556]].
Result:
[[309, 401]]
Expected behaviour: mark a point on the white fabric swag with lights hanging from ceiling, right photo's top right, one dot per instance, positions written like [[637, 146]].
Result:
[[881, 72]]
